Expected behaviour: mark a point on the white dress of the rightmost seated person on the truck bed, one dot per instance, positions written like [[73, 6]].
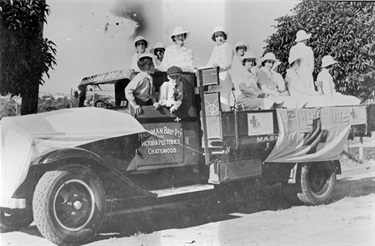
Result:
[[330, 92]]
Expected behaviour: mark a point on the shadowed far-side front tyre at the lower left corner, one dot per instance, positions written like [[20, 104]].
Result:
[[15, 219]]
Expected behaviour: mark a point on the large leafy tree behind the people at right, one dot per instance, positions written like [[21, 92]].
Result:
[[344, 30]]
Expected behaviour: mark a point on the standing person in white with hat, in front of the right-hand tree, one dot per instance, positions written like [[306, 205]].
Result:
[[307, 57]]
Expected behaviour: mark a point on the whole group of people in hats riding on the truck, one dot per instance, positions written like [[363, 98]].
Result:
[[254, 82]]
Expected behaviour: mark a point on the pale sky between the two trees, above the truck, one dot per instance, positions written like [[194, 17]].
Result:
[[96, 36]]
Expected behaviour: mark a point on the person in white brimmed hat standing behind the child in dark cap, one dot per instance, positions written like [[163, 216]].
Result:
[[178, 54]]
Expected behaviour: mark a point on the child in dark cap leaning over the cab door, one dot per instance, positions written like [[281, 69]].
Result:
[[171, 91]]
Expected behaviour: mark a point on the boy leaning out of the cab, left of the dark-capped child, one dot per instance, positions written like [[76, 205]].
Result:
[[140, 90]]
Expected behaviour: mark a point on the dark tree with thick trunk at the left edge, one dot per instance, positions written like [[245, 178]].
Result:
[[25, 55]]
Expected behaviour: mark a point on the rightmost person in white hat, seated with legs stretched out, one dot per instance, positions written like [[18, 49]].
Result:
[[327, 86]]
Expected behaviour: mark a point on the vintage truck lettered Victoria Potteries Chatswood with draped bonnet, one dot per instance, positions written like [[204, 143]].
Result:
[[66, 169]]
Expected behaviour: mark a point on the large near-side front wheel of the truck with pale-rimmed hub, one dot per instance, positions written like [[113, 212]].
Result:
[[69, 205]]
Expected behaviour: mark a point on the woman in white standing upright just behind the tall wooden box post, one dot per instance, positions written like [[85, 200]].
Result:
[[222, 57]]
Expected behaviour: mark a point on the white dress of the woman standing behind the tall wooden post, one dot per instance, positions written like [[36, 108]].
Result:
[[222, 56]]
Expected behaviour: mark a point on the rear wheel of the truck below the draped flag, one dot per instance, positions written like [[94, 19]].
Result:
[[315, 185]]
